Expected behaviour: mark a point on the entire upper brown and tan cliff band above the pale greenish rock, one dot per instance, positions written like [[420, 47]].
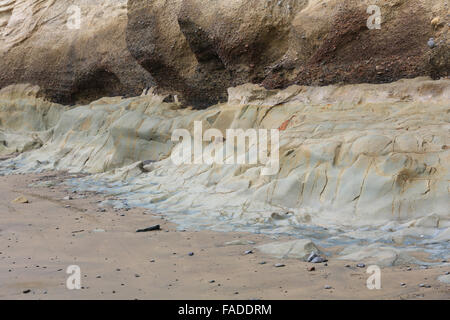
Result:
[[199, 48]]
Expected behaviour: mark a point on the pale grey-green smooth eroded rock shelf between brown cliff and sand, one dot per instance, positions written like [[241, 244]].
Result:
[[357, 162]]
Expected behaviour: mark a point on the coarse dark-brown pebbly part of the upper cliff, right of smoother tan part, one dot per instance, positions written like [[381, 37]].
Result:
[[200, 48]]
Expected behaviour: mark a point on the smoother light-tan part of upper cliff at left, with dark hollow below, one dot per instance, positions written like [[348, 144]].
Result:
[[38, 45]]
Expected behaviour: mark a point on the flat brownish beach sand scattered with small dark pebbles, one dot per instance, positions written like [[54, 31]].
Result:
[[40, 239]]
